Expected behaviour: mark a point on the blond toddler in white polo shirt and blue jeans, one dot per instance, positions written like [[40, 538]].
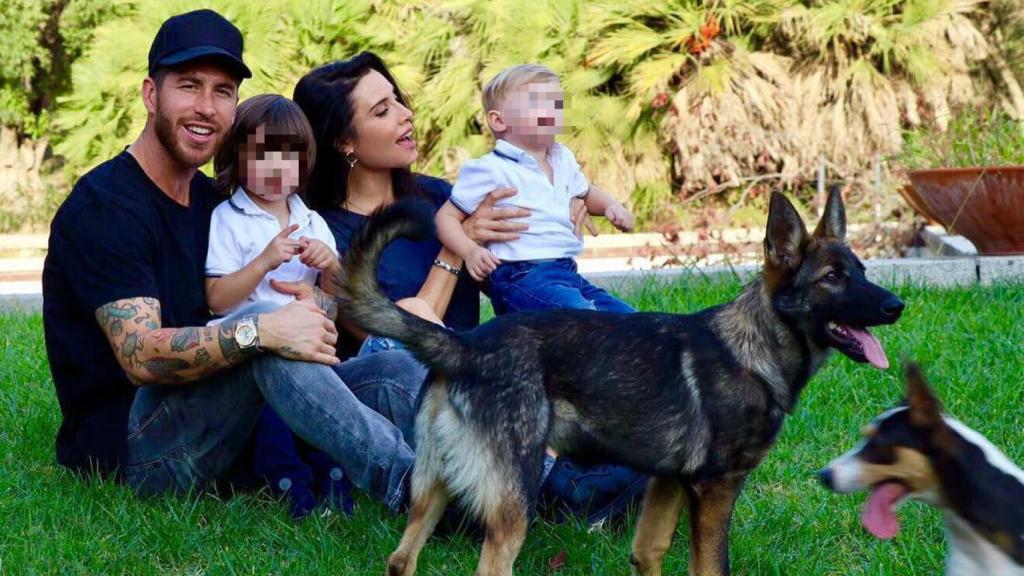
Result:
[[524, 107]]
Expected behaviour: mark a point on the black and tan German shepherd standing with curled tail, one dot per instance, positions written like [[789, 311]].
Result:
[[695, 401]]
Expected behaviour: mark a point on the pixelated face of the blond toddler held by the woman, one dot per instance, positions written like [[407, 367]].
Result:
[[534, 113]]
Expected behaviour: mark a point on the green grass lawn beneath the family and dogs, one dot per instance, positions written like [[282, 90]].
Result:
[[969, 341]]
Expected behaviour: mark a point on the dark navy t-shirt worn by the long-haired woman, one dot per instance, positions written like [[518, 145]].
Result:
[[405, 265]]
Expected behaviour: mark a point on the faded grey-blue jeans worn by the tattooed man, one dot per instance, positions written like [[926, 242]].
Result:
[[362, 414]]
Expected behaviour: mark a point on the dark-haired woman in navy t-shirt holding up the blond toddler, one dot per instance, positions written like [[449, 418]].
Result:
[[364, 131]]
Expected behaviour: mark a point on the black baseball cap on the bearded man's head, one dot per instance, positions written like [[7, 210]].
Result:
[[200, 34]]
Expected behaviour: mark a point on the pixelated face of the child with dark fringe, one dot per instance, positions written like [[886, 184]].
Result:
[[271, 175]]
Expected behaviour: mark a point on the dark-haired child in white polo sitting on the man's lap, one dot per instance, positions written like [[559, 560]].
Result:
[[265, 232]]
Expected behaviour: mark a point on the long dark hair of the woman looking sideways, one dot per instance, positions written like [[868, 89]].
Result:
[[326, 97]]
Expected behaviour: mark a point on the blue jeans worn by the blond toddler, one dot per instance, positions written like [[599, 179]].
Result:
[[547, 285]]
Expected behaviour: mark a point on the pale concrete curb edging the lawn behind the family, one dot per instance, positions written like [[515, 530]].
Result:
[[966, 271]]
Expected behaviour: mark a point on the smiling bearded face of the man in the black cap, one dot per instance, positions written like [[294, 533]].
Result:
[[193, 110]]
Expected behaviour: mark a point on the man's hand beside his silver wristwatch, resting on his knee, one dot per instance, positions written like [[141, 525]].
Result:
[[300, 332]]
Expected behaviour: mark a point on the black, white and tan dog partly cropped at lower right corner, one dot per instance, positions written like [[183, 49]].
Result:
[[916, 451]]
